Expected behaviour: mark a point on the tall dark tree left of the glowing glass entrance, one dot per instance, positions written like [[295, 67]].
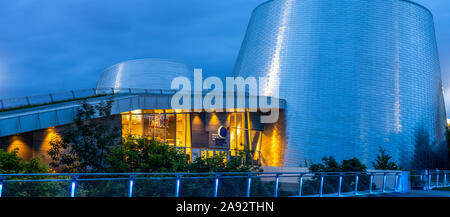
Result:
[[84, 147]]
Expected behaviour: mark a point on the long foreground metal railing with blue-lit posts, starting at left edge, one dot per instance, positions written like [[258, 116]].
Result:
[[200, 184]]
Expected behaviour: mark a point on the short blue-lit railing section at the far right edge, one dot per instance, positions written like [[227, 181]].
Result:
[[430, 179]]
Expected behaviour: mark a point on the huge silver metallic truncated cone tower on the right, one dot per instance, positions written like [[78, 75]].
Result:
[[356, 75]]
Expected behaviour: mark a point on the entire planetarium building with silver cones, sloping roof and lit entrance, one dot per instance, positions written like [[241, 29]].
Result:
[[351, 76]]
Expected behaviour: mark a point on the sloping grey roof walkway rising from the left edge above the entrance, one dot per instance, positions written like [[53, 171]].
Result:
[[43, 111]]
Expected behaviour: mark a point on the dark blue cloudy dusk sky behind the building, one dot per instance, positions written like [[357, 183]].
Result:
[[53, 46]]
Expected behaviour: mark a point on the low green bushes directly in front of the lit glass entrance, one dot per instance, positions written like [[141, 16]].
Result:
[[140, 154]]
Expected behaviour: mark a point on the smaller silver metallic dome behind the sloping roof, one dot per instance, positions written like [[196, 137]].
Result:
[[143, 73]]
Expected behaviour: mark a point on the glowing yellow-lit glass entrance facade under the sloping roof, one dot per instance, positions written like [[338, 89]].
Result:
[[195, 134]]
